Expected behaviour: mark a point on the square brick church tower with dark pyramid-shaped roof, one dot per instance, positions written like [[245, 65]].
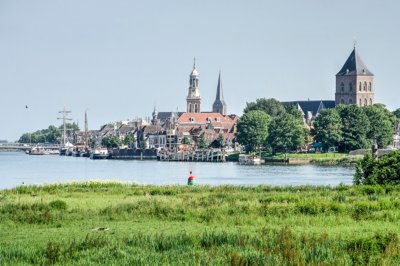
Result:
[[354, 82]]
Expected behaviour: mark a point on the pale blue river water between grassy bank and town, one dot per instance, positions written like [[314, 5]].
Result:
[[17, 168]]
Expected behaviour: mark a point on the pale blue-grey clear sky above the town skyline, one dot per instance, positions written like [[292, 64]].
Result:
[[118, 59]]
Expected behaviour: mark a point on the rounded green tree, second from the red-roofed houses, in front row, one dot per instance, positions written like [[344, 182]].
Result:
[[286, 132]]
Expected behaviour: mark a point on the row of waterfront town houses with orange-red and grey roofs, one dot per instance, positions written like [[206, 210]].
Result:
[[170, 130]]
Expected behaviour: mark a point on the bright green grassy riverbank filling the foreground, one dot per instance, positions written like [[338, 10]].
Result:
[[111, 223]]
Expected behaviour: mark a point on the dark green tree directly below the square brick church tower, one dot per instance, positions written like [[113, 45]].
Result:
[[355, 127]]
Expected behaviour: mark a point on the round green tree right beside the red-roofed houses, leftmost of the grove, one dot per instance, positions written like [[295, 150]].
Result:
[[252, 129]]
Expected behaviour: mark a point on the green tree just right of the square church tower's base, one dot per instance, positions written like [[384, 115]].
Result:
[[381, 125]]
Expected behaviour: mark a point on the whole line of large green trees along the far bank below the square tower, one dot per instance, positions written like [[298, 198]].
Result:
[[269, 125]]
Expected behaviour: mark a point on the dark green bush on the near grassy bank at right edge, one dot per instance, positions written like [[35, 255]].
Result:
[[385, 171]]
